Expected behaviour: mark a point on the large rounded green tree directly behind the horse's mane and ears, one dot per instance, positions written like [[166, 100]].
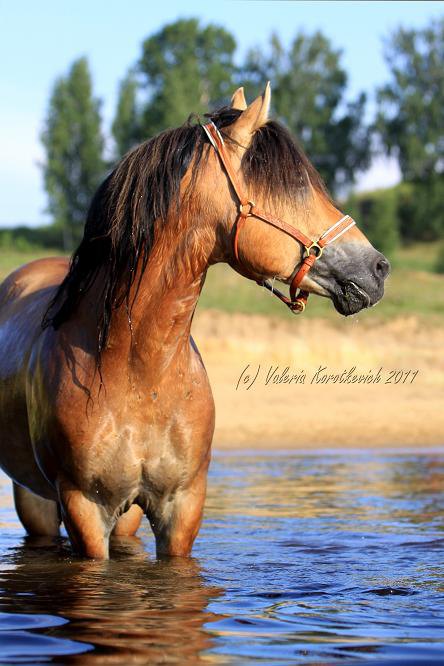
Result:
[[185, 69]]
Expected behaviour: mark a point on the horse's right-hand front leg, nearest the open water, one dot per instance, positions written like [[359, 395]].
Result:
[[176, 522]]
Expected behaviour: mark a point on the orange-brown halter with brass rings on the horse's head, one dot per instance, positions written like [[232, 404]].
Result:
[[312, 249]]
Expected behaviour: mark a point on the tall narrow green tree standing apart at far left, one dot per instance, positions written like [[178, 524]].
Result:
[[73, 144]]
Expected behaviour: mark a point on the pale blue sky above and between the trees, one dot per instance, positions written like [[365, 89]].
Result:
[[39, 40]]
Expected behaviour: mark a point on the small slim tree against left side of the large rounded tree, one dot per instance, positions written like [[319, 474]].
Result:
[[126, 128]]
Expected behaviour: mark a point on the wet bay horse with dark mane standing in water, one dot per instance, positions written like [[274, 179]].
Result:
[[106, 410]]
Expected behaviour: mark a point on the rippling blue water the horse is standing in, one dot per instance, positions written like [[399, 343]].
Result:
[[302, 559]]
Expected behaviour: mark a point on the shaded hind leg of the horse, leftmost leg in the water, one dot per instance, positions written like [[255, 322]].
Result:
[[39, 516]]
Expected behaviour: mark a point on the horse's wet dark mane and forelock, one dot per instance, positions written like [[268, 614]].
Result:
[[133, 202]]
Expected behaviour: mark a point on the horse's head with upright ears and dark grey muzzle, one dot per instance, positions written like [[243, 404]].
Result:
[[270, 170]]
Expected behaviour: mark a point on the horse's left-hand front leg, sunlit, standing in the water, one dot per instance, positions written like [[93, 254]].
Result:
[[88, 524]]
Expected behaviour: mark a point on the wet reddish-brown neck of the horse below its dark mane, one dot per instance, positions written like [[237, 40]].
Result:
[[157, 329]]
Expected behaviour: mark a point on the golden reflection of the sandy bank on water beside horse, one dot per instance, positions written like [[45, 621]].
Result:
[[357, 486]]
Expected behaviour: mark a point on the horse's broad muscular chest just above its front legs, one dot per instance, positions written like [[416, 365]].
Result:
[[131, 451]]
